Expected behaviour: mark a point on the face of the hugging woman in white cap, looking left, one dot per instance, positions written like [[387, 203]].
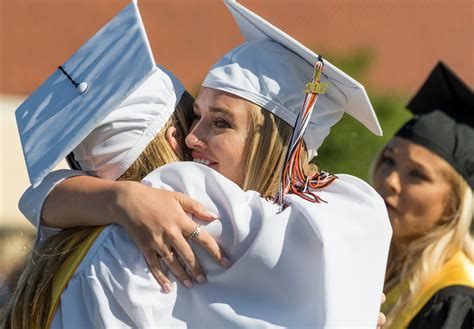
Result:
[[219, 135]]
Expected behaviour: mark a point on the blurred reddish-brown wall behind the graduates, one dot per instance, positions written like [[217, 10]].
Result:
[[187, 36]]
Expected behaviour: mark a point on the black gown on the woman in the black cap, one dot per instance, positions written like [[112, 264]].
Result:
[[451, 307]]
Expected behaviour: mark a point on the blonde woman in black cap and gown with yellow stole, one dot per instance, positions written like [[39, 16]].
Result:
[[425, 175]]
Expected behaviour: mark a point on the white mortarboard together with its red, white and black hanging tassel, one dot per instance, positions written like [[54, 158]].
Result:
[[274, 71]]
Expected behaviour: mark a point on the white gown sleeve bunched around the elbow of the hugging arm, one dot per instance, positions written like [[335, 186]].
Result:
[[32, 200]]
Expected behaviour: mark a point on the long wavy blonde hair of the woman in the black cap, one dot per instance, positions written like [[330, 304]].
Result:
[[423, 257]]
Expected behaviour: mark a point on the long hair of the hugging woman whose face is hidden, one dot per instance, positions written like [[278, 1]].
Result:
[[30, 302]]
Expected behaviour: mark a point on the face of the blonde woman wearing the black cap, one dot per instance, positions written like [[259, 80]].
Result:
[[411, 180]]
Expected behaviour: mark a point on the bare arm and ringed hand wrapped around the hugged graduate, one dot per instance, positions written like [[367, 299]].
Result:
[[155, 219]]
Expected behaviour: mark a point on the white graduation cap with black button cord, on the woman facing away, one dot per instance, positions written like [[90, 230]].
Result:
[[105, 103]]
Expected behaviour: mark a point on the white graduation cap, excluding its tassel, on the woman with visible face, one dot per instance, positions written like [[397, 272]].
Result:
[[271, 70]]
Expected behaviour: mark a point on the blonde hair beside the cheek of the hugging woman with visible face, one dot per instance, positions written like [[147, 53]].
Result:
[[269, 140]]
